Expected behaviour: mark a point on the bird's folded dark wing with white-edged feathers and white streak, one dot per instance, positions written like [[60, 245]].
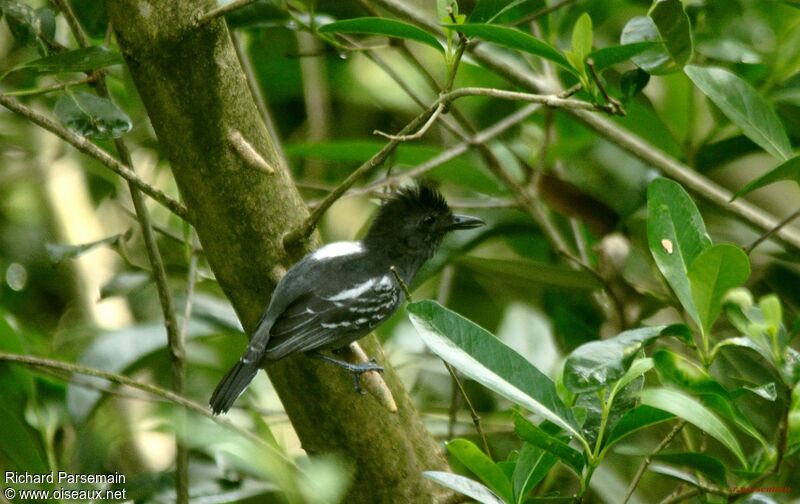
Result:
[[314, 321]]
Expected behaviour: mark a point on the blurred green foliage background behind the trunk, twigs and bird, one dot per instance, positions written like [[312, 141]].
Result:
[[97, 305]]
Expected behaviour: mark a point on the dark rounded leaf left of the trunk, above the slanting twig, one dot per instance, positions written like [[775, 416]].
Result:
[[92, 116]]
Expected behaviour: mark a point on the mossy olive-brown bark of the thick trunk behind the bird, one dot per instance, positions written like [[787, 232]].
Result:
[[196, 95]]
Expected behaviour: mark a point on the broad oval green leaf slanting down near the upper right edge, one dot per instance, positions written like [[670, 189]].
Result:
[[744, 107]]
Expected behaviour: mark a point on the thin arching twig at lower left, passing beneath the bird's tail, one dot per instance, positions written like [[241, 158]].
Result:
[[168, 395]]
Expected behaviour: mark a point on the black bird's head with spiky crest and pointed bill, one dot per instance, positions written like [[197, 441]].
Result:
[[414, 220]]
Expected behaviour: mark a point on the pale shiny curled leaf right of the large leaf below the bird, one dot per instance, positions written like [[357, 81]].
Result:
[[597, 364]]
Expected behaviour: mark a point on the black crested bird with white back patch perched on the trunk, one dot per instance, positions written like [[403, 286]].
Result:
[[344, 290]]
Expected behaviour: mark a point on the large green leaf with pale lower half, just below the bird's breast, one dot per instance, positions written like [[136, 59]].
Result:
[[480, 355]]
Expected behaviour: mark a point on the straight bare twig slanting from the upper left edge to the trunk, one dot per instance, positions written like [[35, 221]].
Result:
[[84, 145]]
